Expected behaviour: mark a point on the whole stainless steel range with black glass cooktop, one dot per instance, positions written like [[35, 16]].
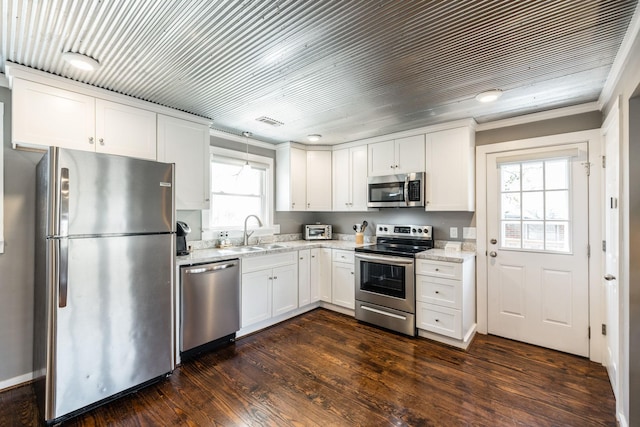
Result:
[[385, 276]]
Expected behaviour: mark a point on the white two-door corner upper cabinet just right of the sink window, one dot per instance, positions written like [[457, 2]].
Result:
[[303, 179]]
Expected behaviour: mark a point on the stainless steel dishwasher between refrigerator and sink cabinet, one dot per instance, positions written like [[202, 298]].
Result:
[[210, 305]]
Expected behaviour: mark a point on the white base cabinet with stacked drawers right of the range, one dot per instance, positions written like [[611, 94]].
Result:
[[445, 300]]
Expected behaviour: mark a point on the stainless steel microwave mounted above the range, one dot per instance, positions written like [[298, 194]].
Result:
[[393, 191]]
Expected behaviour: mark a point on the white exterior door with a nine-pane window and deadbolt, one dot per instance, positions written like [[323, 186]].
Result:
[[537, 242]]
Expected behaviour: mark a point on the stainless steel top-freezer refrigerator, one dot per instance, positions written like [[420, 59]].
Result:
[[105, 268]]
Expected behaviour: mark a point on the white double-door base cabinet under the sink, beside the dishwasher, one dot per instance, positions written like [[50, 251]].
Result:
[[269, 287]]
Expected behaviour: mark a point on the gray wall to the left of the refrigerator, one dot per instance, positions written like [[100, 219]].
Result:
[[16, 263]]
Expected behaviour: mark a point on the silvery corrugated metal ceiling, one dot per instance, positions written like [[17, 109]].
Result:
[[346, 69]]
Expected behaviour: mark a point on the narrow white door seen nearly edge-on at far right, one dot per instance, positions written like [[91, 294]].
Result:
[[611, 149]]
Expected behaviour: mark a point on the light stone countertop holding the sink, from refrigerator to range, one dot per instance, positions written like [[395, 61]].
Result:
[[199, 256]]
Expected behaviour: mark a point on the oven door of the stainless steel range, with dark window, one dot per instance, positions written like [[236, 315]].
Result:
[[385, 280]]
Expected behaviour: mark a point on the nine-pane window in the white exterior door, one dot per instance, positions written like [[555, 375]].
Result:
[[534, 205]]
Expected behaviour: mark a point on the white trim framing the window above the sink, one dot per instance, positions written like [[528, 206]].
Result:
[[268, 227]]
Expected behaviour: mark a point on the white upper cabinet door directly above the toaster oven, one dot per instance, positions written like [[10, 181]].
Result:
[[318, 181]]
